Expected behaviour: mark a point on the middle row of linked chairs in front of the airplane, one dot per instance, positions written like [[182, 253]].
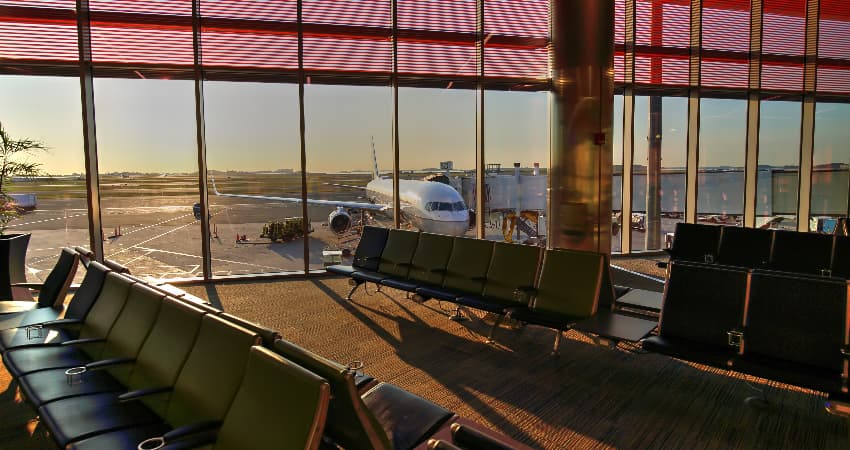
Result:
[[552, 288]]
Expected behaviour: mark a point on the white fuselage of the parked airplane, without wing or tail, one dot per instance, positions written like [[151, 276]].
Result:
[[431, 206]]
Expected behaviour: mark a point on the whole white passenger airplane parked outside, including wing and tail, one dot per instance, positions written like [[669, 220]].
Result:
[[430, 206]]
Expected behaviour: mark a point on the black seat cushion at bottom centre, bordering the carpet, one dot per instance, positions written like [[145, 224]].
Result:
[[407, 419]]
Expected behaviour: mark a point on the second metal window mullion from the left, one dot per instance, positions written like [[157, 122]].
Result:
[[200, 129]]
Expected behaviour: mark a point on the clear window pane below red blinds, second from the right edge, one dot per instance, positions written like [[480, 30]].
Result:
[[779, 164]]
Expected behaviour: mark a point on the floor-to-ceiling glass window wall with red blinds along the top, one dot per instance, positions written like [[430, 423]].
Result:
[[726, 111]]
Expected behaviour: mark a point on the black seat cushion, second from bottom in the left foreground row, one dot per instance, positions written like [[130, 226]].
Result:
[[77, 418]]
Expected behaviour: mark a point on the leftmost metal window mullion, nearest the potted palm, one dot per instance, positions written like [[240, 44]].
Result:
[[89, 129]]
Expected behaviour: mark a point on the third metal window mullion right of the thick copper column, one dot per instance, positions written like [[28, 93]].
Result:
[[753, 112]]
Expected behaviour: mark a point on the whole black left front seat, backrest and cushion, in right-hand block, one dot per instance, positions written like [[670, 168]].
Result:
[[702, 305]]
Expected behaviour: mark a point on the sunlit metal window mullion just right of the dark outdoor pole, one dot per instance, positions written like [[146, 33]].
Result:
[[692, 152]]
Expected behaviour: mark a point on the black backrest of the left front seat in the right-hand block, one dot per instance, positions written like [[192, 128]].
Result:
[[703, 302]]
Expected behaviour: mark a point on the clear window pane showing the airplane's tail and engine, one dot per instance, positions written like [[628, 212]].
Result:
[[344, 124]]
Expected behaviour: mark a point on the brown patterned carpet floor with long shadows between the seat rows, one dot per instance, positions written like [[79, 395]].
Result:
[[592, 396]]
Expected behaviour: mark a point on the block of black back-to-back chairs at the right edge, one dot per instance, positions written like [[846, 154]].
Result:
[[772, 304]]
